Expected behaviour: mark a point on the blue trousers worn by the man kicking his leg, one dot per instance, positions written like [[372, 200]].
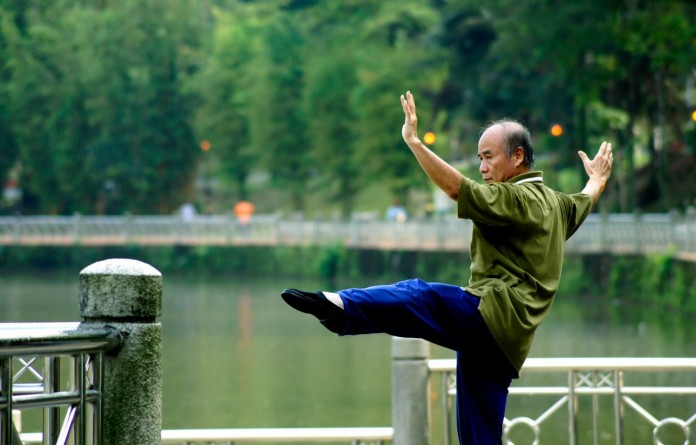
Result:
[[446, 315]]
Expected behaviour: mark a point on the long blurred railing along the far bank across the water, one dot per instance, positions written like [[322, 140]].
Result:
[[620, 233]]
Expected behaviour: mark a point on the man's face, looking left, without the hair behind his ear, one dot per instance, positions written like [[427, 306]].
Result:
[[495, 165]]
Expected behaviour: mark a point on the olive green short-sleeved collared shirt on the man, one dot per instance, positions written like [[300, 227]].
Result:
[[517, 245]]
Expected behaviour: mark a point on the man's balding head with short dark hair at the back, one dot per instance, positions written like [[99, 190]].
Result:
[[505, 150]]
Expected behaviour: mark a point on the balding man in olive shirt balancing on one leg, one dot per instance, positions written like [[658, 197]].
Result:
[[517, 246]]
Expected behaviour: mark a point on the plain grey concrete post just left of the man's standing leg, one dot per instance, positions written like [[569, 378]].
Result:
[[410, 407]]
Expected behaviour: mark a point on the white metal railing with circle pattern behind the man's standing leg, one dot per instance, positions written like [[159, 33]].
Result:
[[584, 377]]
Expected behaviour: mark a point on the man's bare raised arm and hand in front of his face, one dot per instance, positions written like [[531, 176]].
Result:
[[448, 178]]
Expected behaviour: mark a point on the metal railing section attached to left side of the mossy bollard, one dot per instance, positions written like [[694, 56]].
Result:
[[56, 368]]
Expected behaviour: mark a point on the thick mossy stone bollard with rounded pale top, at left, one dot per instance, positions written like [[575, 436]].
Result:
[[127, 294]]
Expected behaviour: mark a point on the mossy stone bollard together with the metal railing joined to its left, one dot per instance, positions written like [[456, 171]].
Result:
[[102, 375]]
